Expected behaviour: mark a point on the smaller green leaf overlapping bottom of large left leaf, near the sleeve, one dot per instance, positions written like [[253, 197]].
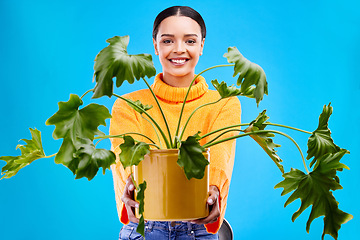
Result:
[[91, 159]]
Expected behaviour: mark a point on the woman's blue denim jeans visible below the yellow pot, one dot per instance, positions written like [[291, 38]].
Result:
[[155, 230]]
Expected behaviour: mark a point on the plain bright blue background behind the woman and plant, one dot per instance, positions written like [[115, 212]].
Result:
[[309, 51]]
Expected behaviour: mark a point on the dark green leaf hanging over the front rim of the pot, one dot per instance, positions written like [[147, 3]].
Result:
[[191, 157]]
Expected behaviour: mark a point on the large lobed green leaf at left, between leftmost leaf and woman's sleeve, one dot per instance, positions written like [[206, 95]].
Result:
[[75, 126]]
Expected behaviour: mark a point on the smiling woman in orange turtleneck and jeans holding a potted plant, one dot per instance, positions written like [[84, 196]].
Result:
[[178, 36]]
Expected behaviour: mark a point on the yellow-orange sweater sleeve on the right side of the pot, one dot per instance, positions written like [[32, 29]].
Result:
[[222, 156]]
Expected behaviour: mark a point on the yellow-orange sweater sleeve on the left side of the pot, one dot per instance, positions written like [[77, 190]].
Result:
[[124, 120]]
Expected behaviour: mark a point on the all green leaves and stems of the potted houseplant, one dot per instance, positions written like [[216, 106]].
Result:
[[78, 126]]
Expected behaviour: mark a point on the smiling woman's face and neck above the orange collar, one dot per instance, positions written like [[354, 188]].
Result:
[[179, 44]]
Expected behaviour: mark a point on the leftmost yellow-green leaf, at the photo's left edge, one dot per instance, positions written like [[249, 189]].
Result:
[[30, 152]]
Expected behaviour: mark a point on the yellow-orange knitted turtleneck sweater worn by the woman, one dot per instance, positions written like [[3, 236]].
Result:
[[224, 113]]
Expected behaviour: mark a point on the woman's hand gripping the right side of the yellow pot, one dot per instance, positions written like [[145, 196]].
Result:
[[213, 202]]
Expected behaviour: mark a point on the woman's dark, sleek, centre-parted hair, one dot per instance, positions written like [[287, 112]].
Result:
[[179, 11]]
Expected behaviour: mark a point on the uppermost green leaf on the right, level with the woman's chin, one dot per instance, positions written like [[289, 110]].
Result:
[[250, 74]]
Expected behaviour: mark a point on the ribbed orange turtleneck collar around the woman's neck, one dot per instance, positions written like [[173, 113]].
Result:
[[176, 94]]
